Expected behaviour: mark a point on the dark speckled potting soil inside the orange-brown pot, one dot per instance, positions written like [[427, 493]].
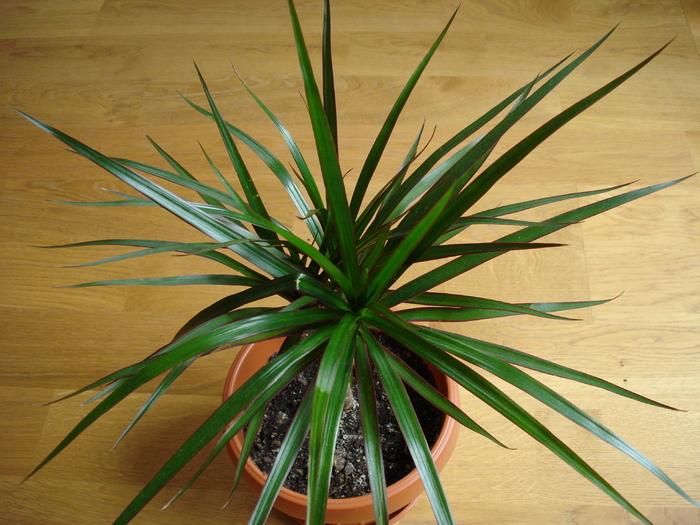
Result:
[[349, 477]]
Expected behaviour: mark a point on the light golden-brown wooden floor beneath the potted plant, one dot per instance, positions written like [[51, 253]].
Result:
[[107, 71]]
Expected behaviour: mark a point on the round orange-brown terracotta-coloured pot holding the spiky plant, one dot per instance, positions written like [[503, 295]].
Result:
[[402, 495]]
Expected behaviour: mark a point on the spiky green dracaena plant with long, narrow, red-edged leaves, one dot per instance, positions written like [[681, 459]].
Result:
[[342, 286]]
